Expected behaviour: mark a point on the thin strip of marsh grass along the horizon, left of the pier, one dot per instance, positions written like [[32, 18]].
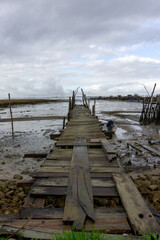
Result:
[[5, 103]]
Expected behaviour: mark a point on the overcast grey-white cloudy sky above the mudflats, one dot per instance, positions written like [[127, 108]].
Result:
[[51, 47]]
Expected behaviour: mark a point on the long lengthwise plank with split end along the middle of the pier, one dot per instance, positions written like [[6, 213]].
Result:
[[79, 199]]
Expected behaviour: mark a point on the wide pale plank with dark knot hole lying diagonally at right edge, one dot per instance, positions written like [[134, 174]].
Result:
[[138, 213]]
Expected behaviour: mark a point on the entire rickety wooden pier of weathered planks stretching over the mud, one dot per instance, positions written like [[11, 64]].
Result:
[[83, 168]]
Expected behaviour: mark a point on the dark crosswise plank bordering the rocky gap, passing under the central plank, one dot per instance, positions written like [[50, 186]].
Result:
[[38, 191]]
